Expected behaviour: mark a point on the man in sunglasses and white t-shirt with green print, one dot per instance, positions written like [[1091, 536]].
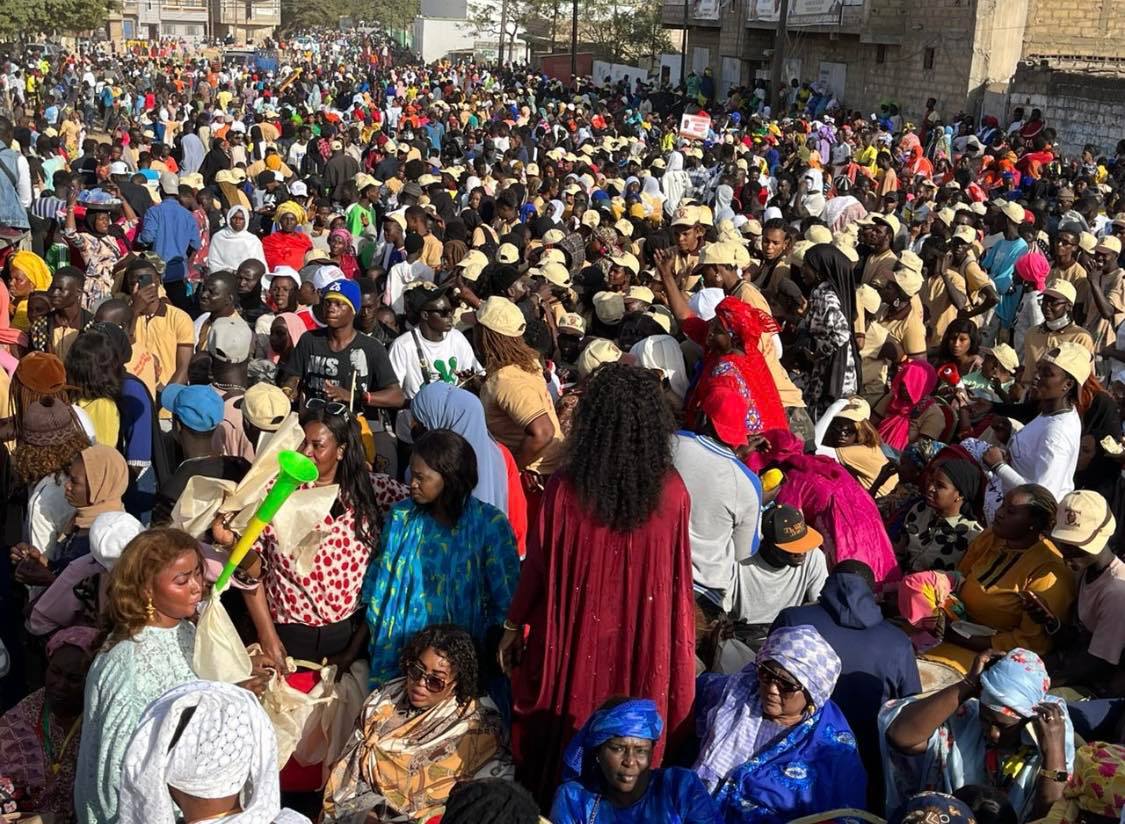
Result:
[[433, 351]]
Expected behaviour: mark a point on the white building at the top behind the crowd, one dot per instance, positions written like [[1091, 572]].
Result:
[[444, 30]]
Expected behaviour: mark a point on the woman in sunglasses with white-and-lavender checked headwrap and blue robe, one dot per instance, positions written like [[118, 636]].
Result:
[[775, 747]]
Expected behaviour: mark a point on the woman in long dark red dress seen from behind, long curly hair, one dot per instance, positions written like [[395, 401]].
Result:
[[607, 586]]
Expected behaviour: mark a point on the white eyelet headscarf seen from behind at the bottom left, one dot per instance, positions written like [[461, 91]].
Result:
[[227, 748]]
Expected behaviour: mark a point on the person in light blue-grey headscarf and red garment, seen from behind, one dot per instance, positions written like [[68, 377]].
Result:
[[442, 406]]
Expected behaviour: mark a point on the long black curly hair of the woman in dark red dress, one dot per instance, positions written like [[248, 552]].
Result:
[[622, 445]]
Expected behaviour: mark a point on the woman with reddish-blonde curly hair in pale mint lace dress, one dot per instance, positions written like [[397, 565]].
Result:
[[154, 594]]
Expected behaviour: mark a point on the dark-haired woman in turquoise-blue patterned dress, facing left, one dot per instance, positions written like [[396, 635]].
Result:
[[445, 557]]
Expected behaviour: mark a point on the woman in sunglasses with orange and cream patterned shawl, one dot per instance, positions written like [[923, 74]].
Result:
[[419, 736]]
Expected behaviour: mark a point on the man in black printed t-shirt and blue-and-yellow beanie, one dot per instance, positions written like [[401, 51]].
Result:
[[338, 364]]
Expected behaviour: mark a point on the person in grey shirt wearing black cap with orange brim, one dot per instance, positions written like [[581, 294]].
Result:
[[788, 571]]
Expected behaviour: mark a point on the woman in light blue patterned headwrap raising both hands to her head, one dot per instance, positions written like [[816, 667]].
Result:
[[997, 727]]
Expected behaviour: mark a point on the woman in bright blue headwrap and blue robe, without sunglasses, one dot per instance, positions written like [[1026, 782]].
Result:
[[608, 775]]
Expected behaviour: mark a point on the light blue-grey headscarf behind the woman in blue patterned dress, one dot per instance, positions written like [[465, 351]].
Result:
[[442, 406]]
